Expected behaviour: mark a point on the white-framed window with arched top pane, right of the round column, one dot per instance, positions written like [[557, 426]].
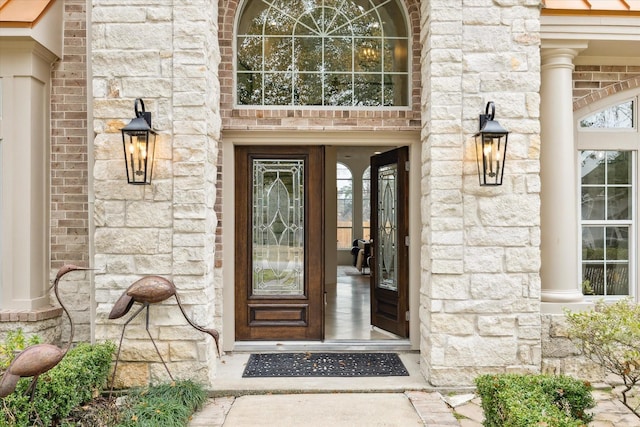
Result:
[[608, 142]]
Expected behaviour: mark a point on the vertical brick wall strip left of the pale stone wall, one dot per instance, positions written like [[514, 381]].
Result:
[[69, 161]]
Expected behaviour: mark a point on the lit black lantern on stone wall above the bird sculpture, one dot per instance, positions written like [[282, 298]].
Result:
[[139, 143]]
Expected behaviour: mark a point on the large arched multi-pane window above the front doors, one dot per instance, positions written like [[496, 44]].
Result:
[[336, 53]]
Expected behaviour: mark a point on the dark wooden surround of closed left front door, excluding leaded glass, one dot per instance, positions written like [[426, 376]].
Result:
[[281, 317]]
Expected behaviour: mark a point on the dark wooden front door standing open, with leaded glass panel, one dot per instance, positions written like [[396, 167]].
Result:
[[389, 232]]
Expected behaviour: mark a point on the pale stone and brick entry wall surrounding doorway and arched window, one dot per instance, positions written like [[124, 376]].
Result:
[[480, 292]]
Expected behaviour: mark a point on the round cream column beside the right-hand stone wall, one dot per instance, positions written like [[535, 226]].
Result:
[[559, 203]]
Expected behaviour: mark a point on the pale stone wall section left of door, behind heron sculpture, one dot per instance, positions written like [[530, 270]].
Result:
[[168, 55]]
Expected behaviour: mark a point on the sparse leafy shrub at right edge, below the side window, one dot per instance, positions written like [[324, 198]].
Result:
[[610, 336]]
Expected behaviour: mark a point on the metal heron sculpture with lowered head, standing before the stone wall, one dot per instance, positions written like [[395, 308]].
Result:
[[150, 290]]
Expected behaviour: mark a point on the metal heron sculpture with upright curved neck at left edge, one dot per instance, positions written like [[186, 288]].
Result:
[[38, 359]]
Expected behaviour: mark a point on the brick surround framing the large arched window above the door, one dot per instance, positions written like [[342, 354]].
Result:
[[287, 118]]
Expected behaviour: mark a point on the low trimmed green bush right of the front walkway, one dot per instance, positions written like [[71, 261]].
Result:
[[513, 400]]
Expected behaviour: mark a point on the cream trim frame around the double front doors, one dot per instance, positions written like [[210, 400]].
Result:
[[231, 138]]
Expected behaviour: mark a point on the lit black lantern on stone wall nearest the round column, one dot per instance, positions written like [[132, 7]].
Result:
[[491, 148]]
